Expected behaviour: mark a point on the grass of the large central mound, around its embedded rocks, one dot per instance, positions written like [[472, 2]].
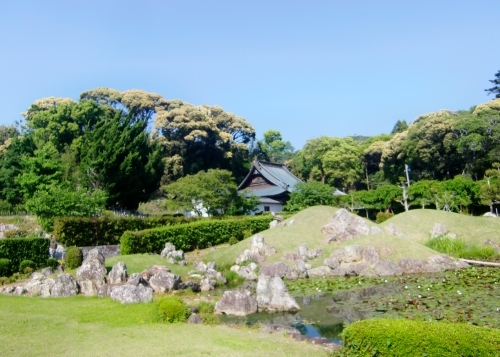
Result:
[[307, 229]]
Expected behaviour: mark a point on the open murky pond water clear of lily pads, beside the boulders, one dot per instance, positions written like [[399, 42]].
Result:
[[321, 315]]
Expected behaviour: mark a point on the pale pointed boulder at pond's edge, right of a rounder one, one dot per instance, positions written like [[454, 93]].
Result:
[[273, 296]]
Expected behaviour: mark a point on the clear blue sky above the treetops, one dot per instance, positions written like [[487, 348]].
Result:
[[305, 68]]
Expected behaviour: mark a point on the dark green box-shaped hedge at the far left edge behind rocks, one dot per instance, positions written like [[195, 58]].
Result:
[[19, 249]]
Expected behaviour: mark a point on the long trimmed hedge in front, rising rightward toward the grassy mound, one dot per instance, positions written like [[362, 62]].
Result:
[[187, 237]]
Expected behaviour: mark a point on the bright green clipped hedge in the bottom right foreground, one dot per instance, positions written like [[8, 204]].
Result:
[[400, 337]]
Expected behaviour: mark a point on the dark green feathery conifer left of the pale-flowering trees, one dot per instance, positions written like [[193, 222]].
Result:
[[118, 157]]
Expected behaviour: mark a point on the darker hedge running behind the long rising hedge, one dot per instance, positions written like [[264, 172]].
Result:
[[82, 231]]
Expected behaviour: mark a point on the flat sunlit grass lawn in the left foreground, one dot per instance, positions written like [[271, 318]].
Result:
[[83, 326]]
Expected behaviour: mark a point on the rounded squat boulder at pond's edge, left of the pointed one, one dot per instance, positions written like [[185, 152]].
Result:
[[236, 302]]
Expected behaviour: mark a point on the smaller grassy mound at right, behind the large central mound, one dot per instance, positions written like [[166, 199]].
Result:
[[417, 225]]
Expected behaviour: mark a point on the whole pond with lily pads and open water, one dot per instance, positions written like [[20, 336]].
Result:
[[466, 295]]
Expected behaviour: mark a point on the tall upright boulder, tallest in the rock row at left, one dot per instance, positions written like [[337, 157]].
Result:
[[91, 274]]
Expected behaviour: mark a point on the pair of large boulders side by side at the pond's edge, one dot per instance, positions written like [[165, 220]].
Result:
[[272, 296]]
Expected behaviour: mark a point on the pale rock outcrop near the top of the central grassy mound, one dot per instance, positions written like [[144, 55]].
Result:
[[346, 226]]
